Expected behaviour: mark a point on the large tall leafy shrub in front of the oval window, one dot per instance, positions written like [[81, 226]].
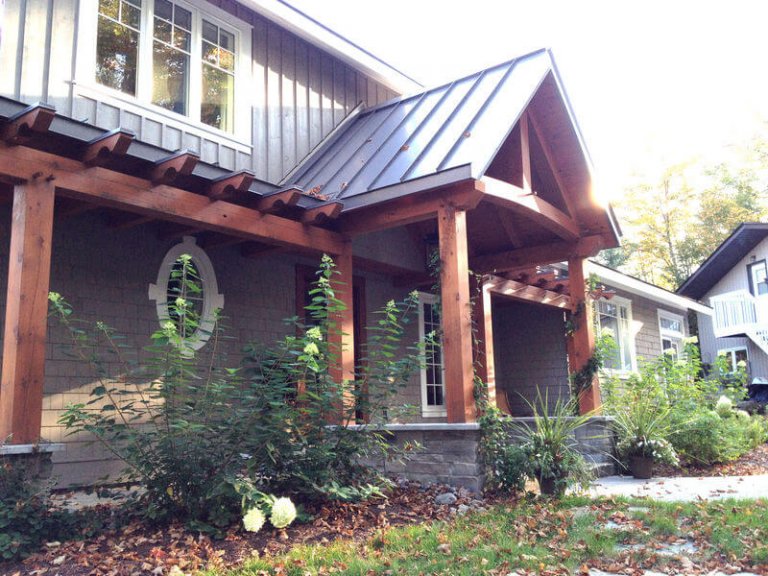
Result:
[[209, 442]]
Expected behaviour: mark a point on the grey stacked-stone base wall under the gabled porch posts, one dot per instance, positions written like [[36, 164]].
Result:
[[450, 453]]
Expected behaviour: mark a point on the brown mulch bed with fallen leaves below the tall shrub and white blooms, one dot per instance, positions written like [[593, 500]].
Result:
[[138, 549]]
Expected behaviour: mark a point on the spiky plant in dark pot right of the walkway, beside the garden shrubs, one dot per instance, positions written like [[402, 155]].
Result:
[[642, 428]]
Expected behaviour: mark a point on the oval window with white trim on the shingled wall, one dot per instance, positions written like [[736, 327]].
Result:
[[204, 300]]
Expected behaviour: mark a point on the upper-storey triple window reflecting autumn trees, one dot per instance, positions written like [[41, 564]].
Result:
[[174, 56]]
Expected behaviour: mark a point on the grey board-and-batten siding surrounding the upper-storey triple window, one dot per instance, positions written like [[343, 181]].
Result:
[[298, 94]]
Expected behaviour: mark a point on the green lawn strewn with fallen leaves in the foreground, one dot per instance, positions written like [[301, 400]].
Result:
[[550, 538]]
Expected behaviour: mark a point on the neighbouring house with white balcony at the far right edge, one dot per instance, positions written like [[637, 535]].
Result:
[[733, 281]]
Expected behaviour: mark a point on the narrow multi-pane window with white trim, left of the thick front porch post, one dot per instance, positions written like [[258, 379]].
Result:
[[433, 370]]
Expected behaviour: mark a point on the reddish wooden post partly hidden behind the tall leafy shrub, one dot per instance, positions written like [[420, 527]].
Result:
[[341, 338]]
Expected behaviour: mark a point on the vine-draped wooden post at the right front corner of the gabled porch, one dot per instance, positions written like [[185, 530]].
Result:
[[581, 343]]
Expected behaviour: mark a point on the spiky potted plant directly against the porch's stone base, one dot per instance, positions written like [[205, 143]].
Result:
[[550, 445]]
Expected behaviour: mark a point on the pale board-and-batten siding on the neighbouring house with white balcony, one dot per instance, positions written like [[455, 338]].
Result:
[[734, 280]]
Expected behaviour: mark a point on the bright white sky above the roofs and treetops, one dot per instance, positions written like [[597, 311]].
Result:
[[652, 83]]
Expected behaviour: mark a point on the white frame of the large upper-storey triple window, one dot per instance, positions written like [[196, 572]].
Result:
[[85, 83]]
